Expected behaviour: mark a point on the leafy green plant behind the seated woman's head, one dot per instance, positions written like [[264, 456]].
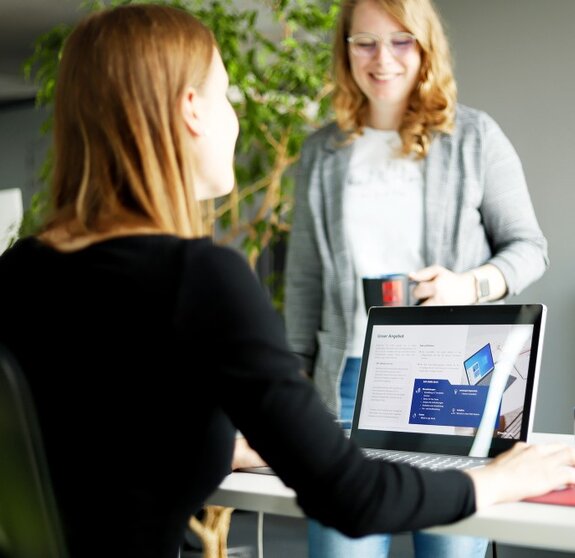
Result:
[[280, 90]]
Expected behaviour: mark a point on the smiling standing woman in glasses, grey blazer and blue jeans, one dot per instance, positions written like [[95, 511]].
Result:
[[405, 179]]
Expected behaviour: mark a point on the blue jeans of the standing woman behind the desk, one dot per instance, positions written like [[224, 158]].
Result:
[[324, 542]]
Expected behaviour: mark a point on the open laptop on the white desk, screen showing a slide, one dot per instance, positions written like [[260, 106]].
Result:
[[417, 403]]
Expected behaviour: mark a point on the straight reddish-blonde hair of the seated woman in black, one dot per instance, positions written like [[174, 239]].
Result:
[[120, 142]]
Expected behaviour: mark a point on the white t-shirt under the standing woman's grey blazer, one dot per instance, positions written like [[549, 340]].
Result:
[[383, 215]]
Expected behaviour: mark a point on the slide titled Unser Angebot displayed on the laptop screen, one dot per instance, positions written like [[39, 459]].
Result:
[[435, 379]]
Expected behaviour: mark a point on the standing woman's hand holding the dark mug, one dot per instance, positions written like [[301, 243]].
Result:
[[437, 285]]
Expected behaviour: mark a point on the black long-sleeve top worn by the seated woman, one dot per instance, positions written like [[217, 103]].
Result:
[[143, 354]]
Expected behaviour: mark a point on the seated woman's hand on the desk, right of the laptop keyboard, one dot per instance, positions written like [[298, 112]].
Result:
[[522, 472]]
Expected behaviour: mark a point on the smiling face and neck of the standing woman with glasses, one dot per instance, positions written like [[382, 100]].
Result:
[[385, 78]]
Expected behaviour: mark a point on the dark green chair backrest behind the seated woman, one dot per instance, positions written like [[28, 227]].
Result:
[[29, 521]]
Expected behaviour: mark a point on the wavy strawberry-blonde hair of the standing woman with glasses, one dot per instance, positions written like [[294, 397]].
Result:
[[431, 107]]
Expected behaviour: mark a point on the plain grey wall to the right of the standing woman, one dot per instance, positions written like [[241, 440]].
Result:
[[514, 59]]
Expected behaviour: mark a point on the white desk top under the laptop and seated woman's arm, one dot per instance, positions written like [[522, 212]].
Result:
[[521, 523]]
